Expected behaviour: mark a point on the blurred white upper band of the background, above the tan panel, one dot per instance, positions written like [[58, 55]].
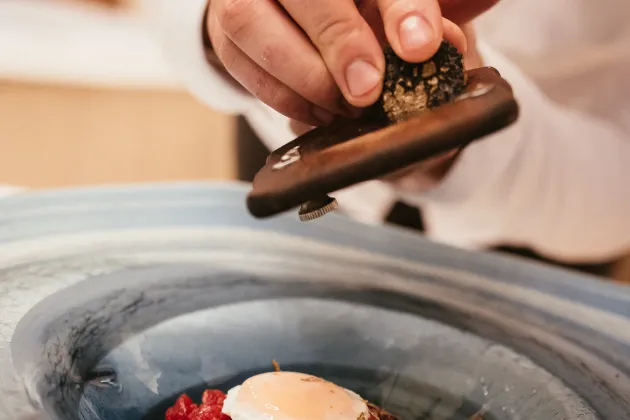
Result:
[[59, 41]]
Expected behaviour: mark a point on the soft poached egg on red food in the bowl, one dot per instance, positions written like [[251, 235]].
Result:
[[293, 396]]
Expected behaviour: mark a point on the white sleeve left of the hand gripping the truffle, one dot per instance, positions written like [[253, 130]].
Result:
[[178, 25]]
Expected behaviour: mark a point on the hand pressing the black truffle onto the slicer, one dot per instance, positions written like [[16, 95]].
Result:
[[312, 60]]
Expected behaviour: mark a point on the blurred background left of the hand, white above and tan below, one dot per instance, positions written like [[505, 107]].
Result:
[[86, 98]]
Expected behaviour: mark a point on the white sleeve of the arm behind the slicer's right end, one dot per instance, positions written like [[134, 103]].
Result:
[[556, 181]]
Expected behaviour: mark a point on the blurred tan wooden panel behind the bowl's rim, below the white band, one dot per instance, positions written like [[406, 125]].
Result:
[[56, 135]]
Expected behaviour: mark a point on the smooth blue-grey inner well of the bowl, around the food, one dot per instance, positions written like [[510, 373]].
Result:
[[412, 366]]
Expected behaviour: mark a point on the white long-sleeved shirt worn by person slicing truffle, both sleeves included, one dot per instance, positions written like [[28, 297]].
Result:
[[557, 181]]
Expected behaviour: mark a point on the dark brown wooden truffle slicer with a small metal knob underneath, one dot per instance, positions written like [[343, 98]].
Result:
[[304, 172]]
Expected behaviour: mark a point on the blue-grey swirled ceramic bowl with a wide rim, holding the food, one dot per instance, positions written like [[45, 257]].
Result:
[[152, 291]]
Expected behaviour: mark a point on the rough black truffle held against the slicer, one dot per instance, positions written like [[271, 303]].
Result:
[[411, 88]]
